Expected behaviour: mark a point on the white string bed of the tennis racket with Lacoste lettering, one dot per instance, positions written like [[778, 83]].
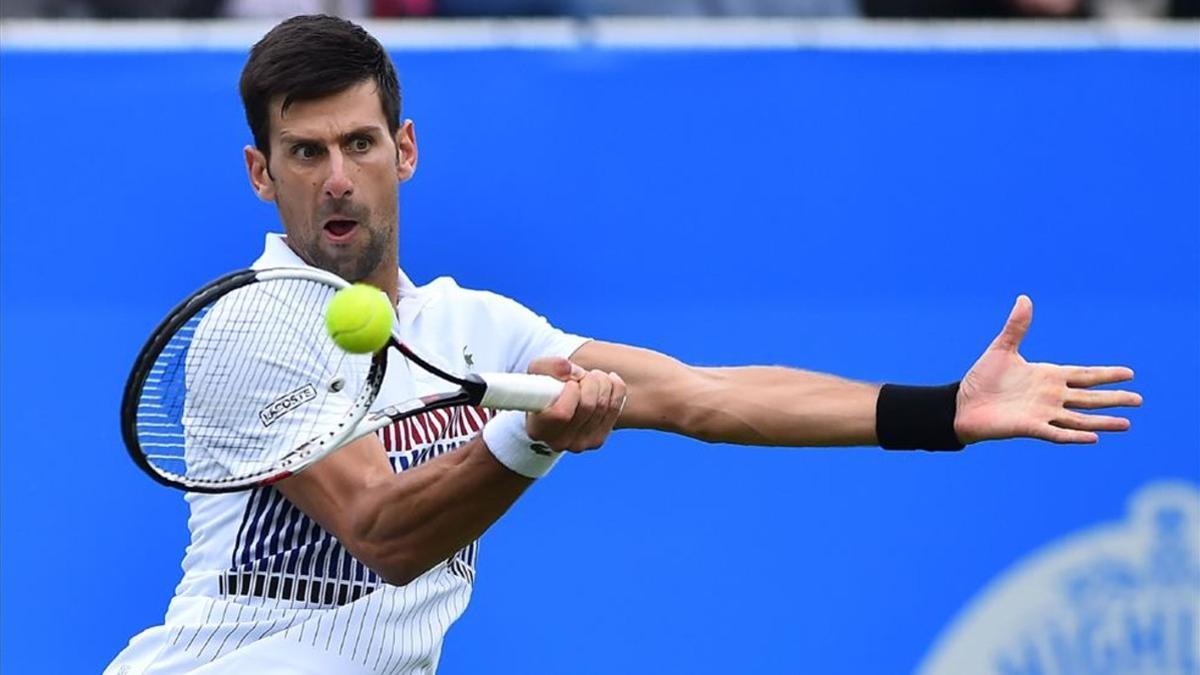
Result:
[[244, 383]]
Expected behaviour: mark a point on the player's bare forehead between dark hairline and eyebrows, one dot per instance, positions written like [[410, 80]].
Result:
[[351, 109]]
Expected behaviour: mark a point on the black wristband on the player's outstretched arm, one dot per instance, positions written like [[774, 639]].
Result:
[[909, 419]]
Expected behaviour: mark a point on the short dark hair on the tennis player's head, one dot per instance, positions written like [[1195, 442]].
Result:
[[311, 57]]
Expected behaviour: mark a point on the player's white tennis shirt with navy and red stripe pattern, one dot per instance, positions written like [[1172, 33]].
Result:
[[267, 590]]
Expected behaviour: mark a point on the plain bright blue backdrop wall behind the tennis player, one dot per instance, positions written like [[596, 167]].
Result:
[[867, 213]]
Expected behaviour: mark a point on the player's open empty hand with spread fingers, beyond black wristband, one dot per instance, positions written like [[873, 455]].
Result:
[[1005, 397]]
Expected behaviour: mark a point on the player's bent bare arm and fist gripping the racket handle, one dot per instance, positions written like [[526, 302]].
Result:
[[404, 524]]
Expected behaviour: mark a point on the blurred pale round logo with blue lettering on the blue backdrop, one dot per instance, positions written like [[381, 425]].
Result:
[[1118, 599]]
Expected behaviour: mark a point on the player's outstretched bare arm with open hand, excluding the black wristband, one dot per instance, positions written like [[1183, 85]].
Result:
[[1001, 397]]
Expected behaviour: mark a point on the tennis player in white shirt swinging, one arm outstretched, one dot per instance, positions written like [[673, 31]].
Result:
[[363, 563]]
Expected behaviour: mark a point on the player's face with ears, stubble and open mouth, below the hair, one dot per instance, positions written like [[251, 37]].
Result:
[[334, 175]]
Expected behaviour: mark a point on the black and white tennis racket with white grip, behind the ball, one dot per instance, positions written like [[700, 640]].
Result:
[[241, 386]]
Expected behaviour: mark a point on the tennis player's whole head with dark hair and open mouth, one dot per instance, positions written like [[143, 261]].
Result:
[[323, 104]]
